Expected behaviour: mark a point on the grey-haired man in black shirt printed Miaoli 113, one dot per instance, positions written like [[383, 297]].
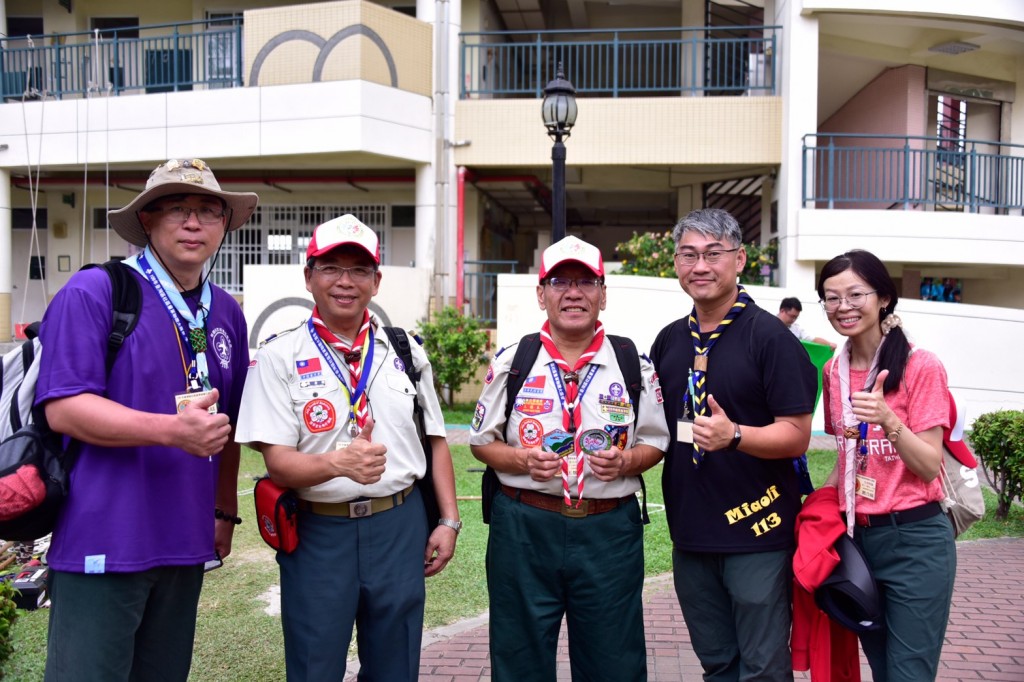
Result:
[[739, 396]]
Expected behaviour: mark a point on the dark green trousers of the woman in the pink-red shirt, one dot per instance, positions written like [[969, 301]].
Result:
[[915, 566]]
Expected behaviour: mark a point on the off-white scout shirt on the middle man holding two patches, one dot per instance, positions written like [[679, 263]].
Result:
[[538, 412]]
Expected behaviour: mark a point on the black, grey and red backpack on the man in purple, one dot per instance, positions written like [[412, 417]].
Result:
[[32, 444]]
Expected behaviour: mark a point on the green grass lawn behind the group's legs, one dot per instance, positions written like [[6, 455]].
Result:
[[237, 640]]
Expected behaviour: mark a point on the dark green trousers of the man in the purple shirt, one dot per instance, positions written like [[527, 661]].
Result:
[[120, 627]]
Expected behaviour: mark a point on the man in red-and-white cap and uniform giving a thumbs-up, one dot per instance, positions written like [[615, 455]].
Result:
[[331, 408]]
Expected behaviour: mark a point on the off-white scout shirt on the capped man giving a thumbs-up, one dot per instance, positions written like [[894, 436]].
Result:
[[293, 399]]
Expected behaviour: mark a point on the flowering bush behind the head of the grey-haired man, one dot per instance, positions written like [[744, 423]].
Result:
[[652, 254]]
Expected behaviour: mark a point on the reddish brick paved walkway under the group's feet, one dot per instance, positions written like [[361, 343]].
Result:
[[985, 642]]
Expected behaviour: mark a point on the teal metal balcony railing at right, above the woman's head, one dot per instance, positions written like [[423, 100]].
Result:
[[913, 174]]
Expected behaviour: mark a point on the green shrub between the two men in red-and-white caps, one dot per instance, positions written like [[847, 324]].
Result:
[[455, 346]]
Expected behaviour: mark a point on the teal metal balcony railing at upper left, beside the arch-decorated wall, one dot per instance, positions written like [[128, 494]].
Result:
[[150, 59]]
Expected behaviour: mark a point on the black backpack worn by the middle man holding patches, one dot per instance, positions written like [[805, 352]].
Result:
[[526, 356]]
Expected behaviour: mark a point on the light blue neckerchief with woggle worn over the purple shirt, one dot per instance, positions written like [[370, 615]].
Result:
[[175, 304]]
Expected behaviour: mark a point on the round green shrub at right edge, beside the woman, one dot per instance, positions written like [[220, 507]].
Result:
[[999, 441]]
